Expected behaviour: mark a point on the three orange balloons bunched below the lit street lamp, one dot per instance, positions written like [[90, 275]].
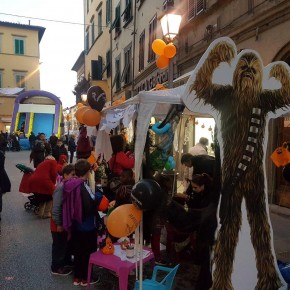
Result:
[[164, 52]]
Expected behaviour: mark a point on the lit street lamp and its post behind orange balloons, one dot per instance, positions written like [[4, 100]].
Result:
[[170, 23]]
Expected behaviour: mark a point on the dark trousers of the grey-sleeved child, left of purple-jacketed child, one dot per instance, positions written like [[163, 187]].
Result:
[[61, 250]]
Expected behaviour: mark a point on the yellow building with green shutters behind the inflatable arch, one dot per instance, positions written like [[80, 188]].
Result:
[[19, 65]]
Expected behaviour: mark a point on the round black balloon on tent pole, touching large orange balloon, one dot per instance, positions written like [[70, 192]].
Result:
[[147, 194]]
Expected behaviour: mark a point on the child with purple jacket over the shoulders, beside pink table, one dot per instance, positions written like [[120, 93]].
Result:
[[81, 218]]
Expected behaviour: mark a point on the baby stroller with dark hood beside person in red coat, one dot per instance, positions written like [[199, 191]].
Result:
[[34, 201]]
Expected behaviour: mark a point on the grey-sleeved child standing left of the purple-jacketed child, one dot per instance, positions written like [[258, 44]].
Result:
[[61, 253]]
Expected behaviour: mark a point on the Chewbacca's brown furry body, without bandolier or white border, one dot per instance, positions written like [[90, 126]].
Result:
[[235, 104]]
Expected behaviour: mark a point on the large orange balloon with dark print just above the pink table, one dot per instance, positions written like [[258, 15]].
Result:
[[124, 220]]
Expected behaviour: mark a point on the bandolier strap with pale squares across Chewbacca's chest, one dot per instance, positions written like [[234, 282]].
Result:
[[255, 126]]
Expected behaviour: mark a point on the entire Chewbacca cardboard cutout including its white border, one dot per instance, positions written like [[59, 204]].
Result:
[[244, 256]]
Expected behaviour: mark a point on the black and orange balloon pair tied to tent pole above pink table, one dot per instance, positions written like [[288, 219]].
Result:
[[146, 195]]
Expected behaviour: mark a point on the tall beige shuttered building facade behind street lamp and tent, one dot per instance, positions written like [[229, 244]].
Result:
[[126, 29]]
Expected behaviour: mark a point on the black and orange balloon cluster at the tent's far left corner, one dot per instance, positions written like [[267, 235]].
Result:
[[90, 115]]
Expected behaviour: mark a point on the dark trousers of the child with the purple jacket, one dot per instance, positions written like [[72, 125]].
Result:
[[85, 243]]
